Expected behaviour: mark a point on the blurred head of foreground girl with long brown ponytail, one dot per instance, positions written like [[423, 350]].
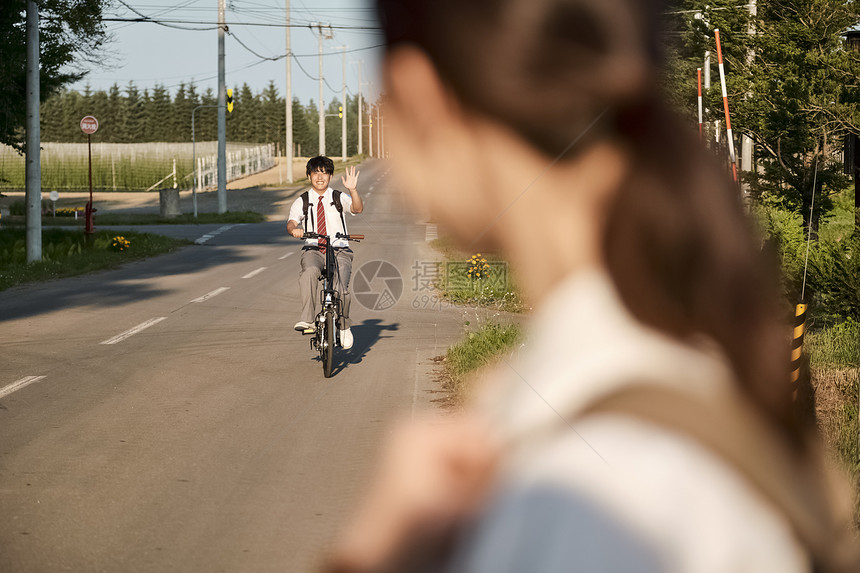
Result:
[[548, 82]]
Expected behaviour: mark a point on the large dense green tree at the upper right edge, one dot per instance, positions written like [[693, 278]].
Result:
[[805, 99]]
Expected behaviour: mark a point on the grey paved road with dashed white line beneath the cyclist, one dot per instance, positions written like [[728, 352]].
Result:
[[208, 440]]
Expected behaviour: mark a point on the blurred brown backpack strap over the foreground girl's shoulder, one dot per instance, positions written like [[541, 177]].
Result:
[[816, 503]]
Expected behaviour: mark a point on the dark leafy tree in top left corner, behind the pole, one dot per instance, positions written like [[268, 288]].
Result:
[[71, 35]]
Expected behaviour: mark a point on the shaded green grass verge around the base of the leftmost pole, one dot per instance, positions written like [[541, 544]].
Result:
[[66, 254]]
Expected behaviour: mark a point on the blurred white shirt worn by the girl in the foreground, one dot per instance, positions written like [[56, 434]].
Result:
[[666, 499]]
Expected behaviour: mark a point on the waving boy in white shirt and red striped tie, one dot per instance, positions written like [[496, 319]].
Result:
[[320, 210]]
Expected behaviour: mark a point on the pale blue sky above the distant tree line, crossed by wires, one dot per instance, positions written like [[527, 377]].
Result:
[[148, 53]]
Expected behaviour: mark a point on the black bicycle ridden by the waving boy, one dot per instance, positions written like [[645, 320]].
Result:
[[326, 335]]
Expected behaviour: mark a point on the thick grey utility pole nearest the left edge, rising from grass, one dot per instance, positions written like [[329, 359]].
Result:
[[33, 166]]
